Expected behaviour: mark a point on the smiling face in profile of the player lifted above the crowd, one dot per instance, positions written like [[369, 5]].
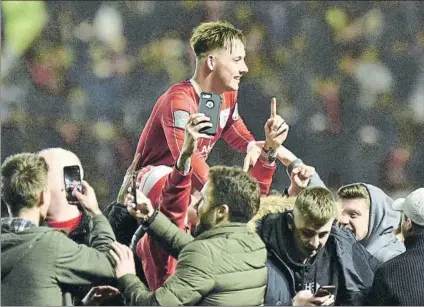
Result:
[[230, 66]]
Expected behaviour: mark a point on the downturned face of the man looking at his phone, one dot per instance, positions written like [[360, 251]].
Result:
[[309, 238]]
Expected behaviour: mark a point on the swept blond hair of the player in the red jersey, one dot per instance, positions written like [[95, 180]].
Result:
[[209, 36]]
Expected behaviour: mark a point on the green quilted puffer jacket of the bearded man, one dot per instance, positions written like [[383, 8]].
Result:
[[222, 266]]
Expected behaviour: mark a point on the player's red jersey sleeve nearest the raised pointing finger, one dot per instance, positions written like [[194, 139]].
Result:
[[236, 133]]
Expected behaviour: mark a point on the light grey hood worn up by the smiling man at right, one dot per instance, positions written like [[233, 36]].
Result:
[[383, 221]]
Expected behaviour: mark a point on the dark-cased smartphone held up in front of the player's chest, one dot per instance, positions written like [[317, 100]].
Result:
[[210, 105]]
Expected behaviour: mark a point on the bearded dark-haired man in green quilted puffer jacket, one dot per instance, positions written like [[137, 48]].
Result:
[[223, 265]]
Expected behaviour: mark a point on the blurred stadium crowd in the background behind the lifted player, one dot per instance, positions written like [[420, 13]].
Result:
[[348, 77]]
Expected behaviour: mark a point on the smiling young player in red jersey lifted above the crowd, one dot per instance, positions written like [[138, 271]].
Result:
[[220, 64]]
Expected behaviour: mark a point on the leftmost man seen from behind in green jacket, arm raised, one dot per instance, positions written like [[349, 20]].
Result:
[[37, 262]]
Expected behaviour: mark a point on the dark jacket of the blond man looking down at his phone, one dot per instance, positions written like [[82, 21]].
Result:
[[344, 262]]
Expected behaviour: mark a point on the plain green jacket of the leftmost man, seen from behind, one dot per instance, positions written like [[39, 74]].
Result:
[[38, 262]]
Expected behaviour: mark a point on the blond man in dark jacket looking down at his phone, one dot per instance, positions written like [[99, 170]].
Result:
[[306, 251]]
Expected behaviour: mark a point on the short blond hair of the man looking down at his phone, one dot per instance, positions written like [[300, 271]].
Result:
[[317, 206]]
